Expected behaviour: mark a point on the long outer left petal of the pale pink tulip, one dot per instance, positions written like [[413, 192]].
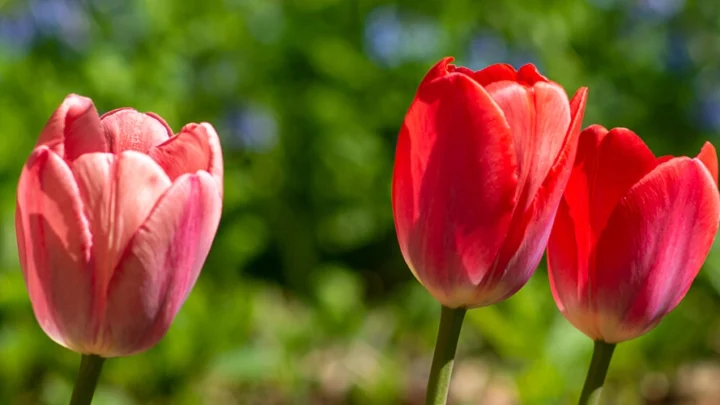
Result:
[[54, 247]]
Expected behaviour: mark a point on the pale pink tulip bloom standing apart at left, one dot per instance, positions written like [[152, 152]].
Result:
[[115, 217]]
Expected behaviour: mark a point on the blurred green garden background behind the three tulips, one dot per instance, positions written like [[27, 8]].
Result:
[[305, 298]]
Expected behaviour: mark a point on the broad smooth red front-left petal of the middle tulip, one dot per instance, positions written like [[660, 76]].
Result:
[[454, 183]]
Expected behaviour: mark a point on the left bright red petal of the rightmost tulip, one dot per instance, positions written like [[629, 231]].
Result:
[[606, 166]]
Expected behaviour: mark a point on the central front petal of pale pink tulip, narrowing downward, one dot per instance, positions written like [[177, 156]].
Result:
[[119, 192]]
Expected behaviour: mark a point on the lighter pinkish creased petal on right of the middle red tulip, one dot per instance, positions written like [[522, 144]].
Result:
[[539, 119]]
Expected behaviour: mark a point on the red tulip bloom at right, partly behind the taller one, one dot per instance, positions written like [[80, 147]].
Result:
[[631, 233]]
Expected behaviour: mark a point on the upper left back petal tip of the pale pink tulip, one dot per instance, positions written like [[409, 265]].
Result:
[[74, 129]]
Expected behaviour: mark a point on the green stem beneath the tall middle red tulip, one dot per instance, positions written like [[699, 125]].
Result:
[[451, 320]]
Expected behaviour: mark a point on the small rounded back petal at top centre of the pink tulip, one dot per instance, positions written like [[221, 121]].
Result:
[[127, 129]]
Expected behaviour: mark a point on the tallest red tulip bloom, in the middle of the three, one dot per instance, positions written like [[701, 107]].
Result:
[[480, 166]]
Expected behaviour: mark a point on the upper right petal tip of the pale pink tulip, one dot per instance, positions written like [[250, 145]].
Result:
[[196, 147]]
